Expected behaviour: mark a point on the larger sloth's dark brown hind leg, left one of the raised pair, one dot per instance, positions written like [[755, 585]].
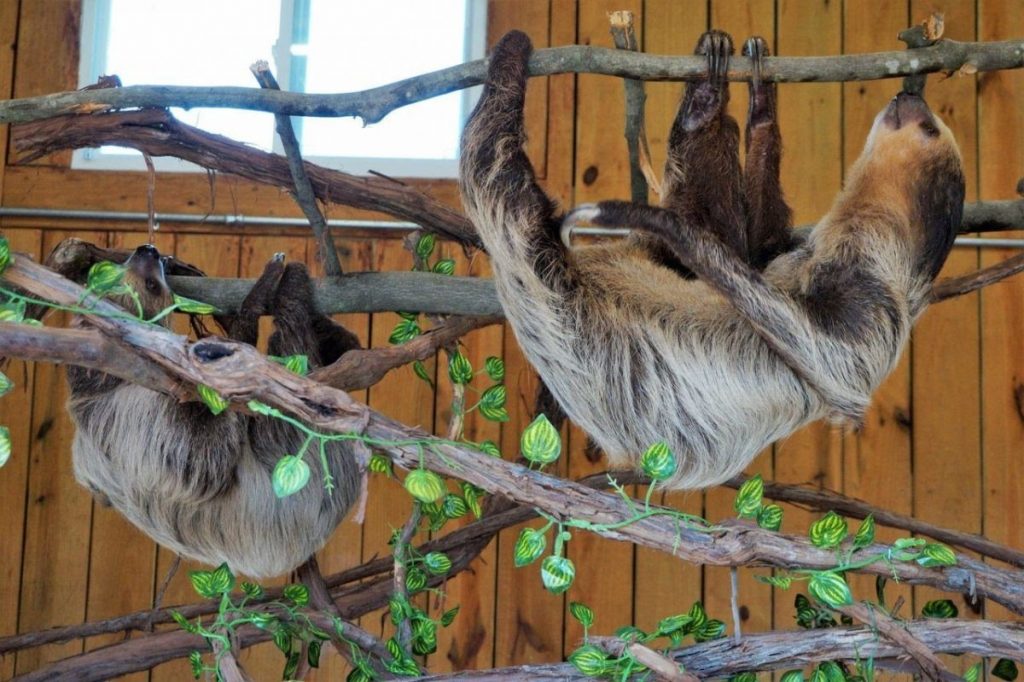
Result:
[[702, 174]]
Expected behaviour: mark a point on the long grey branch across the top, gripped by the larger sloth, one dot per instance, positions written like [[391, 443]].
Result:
[[375, 104]]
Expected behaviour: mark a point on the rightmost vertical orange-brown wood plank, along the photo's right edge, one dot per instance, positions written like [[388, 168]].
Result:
[[1001, 153]]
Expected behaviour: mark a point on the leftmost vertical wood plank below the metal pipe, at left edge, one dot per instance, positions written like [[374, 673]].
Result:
[[16, 414]]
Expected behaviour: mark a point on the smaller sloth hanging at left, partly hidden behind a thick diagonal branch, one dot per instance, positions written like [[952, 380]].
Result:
[[200, 484]]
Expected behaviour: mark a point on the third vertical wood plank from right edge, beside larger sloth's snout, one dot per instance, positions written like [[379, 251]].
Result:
[[877, 460]]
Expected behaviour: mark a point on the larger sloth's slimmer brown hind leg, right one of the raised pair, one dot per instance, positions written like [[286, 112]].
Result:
[[769, 216]]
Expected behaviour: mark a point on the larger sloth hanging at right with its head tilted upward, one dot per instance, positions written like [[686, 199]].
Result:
[[773, 333]]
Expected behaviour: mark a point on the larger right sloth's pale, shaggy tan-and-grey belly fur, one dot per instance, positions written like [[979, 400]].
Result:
[[657, 358]]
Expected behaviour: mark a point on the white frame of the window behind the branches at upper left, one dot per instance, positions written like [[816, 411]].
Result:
[[93, 65]]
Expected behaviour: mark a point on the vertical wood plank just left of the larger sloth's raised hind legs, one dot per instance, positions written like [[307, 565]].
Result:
[[663, 585]]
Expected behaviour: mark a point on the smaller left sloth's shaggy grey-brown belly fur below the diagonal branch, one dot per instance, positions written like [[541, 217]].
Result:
[[204, 490]]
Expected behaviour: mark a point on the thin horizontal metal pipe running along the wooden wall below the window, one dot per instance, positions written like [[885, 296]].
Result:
[[240, 221]]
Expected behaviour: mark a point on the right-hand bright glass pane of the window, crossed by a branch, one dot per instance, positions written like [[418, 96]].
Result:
[[355, 46]]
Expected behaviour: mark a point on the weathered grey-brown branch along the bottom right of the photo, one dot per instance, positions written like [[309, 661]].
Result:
[[782, 651]]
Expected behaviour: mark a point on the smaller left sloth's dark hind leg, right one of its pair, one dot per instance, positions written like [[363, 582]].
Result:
[[300, 328]]
